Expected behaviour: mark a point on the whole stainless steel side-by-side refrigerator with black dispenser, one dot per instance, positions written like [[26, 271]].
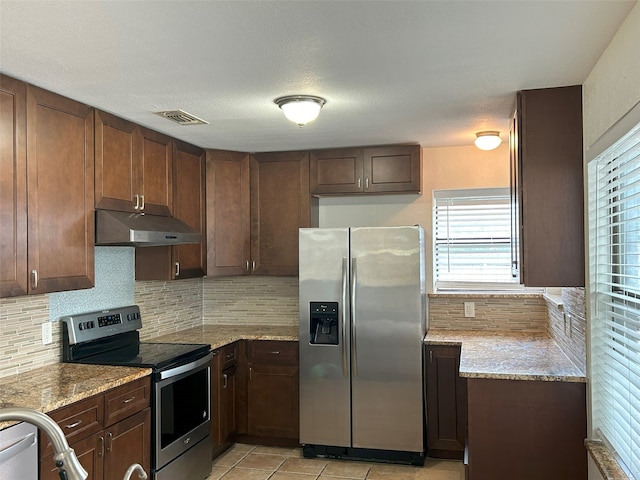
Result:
[[362, 322]]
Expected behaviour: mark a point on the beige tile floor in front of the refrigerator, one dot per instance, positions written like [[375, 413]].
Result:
[[249, 462]]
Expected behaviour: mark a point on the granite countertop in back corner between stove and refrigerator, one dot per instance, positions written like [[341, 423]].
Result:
[[221, 335]]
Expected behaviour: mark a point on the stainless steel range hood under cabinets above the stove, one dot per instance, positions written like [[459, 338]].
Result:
[[141, 230]]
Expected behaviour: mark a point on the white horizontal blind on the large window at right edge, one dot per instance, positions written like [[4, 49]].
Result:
[[614, 244]]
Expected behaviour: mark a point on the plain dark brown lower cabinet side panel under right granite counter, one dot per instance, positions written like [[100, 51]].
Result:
[[525, 429]]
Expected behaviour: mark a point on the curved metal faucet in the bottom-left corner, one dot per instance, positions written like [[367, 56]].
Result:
[[64, 457]]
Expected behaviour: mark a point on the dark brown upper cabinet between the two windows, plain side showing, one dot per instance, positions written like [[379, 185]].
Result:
[[547, 187]]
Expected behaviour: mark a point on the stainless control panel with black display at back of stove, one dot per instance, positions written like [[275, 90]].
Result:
[[102, 323]]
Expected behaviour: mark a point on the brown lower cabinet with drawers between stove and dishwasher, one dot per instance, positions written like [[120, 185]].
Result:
[[109, 432]]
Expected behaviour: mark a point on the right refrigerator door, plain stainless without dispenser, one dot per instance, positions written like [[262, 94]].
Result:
[[388, 325]]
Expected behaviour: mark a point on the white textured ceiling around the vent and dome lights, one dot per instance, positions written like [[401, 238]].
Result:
[[431, 72]]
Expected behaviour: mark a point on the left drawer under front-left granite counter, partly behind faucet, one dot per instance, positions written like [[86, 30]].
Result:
[[77, 421]]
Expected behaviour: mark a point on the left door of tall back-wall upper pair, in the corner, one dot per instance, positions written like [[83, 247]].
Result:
[[228, 213]]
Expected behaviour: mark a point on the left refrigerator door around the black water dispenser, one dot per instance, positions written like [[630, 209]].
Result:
[[325, 398]]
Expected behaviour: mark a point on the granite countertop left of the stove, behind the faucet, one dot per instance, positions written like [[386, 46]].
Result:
[[49, 388]]
